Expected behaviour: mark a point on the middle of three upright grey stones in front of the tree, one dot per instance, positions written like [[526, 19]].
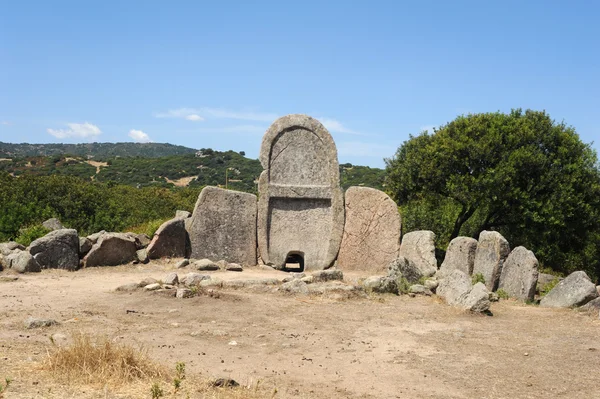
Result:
[[492, 250]]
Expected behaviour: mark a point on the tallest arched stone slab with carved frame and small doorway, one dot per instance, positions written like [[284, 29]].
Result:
[[301, 206]]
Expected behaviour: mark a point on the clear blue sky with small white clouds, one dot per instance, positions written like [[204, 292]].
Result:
[[216, 74]]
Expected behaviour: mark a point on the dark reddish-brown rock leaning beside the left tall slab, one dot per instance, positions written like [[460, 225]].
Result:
[[169, 240]]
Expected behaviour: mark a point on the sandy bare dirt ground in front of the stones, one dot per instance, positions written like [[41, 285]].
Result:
[[380, 346]]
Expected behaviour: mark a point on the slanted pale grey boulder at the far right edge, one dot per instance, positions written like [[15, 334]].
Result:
[[575, 290]]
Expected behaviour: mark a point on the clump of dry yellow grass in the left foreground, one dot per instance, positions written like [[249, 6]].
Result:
[[98, 360]]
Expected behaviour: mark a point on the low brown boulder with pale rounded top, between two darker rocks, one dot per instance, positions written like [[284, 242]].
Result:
[[112, 249]]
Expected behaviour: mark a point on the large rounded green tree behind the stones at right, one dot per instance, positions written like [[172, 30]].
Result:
[[522, 174]]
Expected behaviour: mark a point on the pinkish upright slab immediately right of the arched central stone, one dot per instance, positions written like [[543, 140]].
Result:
[[371, 237]]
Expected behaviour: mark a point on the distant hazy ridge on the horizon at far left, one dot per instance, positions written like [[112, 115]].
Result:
[[95, 150]]
